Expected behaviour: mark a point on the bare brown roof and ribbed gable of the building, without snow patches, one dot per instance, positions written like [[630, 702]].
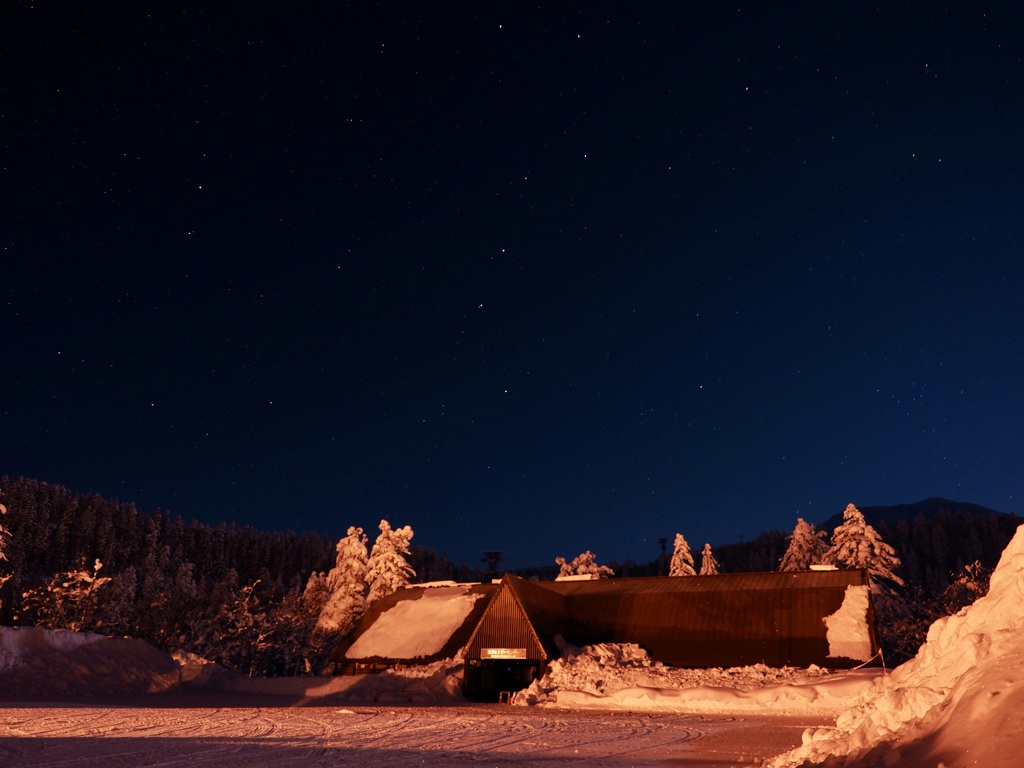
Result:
[[717, 621]]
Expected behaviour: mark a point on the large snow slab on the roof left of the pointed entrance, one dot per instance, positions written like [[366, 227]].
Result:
[[416, 629]]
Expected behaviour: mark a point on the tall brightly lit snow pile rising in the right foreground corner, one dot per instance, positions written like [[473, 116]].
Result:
[[957, 703]]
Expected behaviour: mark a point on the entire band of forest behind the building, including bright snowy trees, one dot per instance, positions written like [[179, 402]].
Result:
[[276, 604]]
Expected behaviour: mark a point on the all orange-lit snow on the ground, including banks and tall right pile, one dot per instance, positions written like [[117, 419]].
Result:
[[958, 704]]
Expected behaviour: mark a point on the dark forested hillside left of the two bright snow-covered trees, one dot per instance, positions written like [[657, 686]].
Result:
[[233, 595]]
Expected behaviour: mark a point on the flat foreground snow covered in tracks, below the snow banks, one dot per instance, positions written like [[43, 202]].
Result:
[[80, 736]]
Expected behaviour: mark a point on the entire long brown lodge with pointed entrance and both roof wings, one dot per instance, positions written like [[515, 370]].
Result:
[[511, 631]]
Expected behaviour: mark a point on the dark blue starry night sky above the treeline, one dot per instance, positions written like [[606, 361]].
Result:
[[537, 280]]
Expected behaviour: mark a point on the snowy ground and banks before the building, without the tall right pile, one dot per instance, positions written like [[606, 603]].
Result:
[[51, 716]]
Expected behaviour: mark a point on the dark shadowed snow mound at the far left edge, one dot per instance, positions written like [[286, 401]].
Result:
[[59, 663]]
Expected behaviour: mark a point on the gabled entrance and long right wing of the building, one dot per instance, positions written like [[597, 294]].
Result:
[[781, 620]]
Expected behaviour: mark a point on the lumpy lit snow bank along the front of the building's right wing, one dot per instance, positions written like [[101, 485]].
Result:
[[623, 677]]
